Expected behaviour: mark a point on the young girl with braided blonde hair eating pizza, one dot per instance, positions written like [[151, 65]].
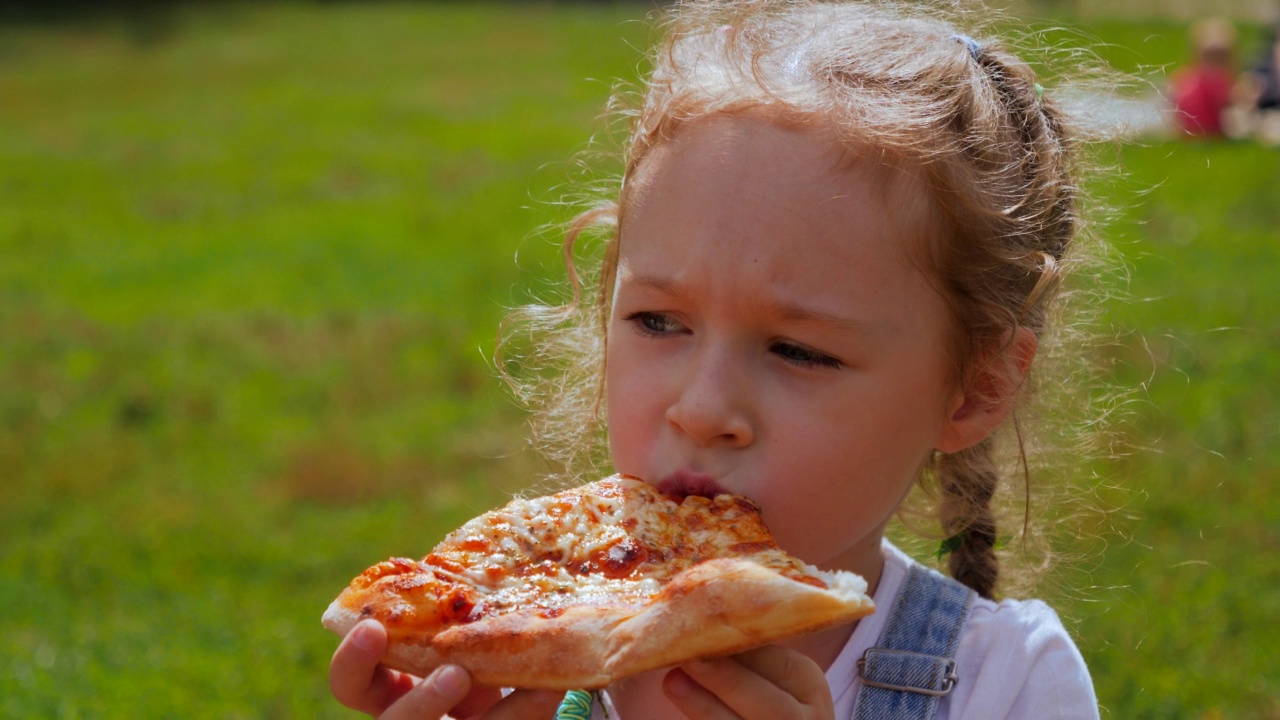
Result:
[[829, 271]]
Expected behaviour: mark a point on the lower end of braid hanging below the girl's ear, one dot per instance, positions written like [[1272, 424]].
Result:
[[968, 481]]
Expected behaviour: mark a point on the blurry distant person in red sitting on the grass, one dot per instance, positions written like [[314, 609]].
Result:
[[1203, 93]]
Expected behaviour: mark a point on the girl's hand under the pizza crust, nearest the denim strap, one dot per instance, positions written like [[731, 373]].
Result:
[[765, 683]]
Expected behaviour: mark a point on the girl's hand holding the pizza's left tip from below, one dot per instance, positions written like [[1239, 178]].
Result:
[[359, 682]]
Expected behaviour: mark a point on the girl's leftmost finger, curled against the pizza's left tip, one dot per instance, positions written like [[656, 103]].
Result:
[[355, 676]]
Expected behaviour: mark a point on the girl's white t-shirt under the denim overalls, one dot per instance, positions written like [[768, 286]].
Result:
[[1016, 660]]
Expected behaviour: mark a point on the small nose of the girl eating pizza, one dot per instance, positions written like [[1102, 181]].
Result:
[[712, 409]]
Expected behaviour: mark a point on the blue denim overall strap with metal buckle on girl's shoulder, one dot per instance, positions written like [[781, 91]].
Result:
[[913, 666]]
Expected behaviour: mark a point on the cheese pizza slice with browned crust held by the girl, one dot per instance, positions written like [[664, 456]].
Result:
[[592, 585]]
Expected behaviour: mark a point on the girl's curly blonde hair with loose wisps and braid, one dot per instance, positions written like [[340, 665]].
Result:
[[998, 153]]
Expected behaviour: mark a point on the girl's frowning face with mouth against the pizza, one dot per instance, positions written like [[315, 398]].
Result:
[[772, 338]]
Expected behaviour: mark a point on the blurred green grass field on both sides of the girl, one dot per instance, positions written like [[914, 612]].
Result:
[[250, 277]]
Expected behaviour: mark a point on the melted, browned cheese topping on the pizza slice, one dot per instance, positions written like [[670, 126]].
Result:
[[616, 541]]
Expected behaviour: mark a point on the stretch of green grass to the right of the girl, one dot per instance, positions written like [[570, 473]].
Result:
[[1185, 623]]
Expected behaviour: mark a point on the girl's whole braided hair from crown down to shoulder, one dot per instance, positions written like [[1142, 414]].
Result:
[[1004, 271]]
